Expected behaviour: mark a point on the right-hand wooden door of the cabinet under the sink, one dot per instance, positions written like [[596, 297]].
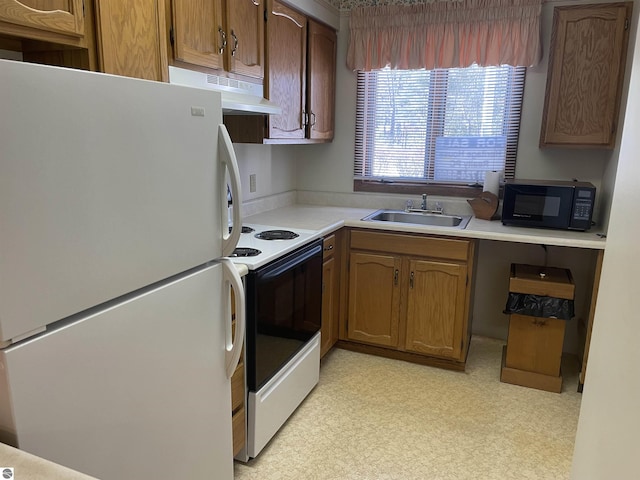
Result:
[[436, 302]]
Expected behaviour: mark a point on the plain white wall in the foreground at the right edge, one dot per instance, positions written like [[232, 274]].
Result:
[[607, 444]]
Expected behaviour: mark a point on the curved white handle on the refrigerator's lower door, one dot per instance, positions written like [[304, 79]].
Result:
[[233, 346]]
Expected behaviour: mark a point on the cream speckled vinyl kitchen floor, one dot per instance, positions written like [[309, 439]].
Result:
[[376, 418]]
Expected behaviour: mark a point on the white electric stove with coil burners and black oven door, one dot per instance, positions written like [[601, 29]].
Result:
[[283, 292]]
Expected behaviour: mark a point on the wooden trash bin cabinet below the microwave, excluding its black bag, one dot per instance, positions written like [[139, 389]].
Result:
[[533, 352]]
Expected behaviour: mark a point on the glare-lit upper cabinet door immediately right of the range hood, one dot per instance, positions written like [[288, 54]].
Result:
[[286, 70]]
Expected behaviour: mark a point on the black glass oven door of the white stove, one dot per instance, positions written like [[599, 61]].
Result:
[[284, 301]]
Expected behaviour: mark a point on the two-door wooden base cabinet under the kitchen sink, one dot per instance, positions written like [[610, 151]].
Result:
[[411, 295]]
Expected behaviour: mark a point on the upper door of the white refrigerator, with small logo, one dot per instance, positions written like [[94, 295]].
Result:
[[107, 184]]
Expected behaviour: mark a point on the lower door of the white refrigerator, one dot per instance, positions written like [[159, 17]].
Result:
[[136, 391]]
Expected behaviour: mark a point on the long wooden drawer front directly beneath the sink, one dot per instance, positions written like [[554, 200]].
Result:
[[411, 244]]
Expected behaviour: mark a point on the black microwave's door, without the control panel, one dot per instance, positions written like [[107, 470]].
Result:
[[537, 205]]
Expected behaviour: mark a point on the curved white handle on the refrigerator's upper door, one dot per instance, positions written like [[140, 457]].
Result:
[[228, 158]]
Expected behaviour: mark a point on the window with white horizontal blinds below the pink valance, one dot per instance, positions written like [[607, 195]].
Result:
[[443, 127]]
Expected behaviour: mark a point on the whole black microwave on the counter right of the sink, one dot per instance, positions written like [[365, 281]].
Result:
[[548, 204]]
